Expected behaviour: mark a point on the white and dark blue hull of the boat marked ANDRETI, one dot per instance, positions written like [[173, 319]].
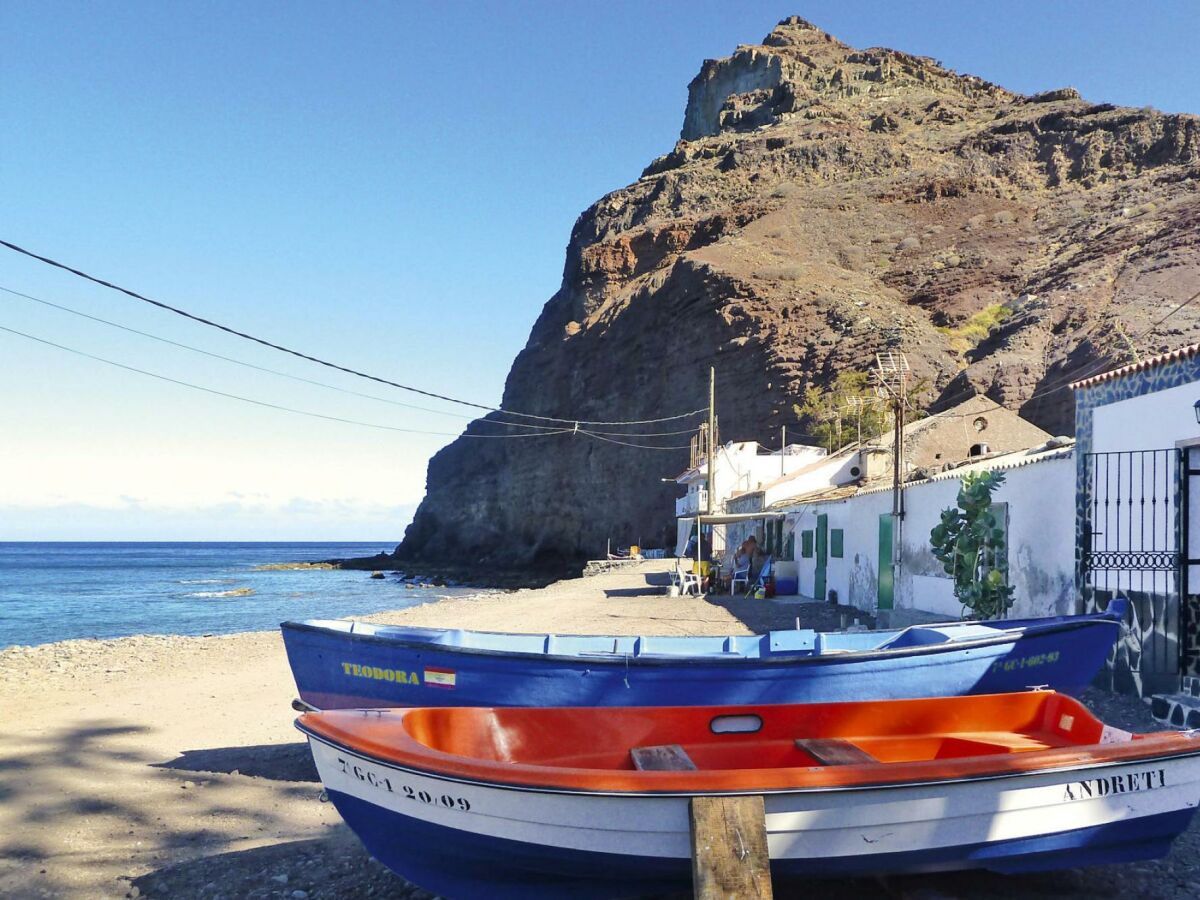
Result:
[[467, 839]]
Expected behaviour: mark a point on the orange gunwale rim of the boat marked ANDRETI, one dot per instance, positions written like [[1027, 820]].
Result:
[[650, 791]]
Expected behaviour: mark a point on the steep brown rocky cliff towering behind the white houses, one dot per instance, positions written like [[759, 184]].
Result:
[[825, 203]]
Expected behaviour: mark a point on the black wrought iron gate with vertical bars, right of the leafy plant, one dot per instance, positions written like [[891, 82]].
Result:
[[1135, 518]]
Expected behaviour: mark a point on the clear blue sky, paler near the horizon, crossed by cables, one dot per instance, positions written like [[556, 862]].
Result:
[[388, 185]]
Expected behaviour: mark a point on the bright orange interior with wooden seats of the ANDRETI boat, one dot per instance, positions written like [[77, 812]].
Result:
[[724, 739]]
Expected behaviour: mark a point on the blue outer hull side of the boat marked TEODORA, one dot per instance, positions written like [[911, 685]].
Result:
[[340, 670]]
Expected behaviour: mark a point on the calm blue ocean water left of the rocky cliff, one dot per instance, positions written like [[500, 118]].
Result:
[[53, 592]]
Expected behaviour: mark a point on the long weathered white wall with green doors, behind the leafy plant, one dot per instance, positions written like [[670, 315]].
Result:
[[1041, 500]]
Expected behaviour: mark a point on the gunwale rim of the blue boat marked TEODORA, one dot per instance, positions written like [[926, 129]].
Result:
[[784, 658]]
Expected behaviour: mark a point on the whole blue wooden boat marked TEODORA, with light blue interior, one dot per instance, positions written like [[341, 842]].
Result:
[[340, 664]]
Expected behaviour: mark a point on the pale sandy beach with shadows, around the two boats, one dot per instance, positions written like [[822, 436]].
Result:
[[169, 766]]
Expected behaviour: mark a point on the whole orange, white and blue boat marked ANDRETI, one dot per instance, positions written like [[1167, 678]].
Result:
[[593, 803]]
